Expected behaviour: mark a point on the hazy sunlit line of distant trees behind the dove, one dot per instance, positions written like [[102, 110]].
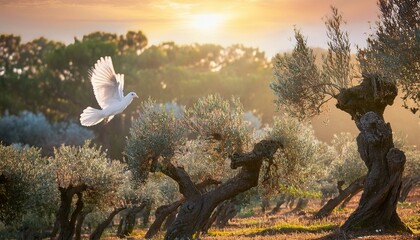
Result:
[[52, 78]]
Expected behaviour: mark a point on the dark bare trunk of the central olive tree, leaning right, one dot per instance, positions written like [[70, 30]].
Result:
[[195, 212]]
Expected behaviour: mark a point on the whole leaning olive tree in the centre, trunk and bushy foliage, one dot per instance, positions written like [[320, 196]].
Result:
[[195, 149]]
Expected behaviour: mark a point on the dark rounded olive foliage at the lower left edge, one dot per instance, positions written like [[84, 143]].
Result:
[[29, 191]]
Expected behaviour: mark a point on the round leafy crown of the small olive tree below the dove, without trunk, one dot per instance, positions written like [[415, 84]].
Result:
[[88, 165]]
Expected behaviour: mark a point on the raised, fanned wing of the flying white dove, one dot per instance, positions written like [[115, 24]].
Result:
[[107, 85]]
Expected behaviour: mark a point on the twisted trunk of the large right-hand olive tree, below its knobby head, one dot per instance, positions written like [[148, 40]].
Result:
[[377, 207]]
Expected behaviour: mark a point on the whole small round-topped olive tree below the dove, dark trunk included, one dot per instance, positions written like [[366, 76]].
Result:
[[85, 175]]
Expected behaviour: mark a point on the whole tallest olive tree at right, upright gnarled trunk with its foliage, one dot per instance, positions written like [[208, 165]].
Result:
[[304, 89]]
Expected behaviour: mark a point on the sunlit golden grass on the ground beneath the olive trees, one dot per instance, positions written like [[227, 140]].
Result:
[[302, 226]]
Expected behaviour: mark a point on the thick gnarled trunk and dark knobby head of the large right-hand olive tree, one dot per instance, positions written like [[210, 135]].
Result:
[[377, 207]]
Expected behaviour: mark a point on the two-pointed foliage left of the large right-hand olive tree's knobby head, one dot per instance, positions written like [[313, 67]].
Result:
[[300, 86]]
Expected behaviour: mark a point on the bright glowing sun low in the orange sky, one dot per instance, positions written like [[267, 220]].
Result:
[[207, 21]]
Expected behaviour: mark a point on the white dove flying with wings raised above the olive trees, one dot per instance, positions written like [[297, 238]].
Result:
[[108, 89]]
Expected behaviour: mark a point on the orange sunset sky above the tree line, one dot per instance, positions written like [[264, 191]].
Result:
[[266, 24]]
